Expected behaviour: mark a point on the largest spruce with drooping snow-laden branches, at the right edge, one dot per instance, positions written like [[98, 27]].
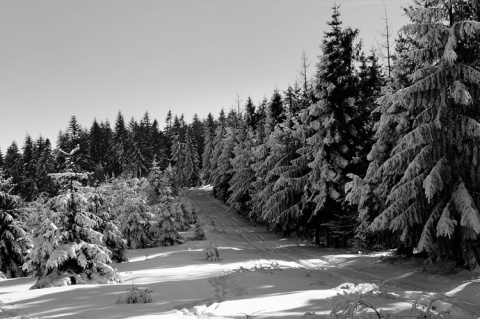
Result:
[[427, 184]]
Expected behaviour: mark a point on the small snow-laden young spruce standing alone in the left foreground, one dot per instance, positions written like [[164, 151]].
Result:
[[68, 248]]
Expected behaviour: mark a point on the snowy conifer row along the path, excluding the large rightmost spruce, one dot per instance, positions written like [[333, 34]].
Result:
[[287, 162]]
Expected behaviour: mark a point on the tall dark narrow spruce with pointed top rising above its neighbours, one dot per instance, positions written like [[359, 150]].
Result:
[[333, 146]]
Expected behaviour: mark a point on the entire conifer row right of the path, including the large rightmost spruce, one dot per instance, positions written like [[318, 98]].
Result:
[[355, 157]]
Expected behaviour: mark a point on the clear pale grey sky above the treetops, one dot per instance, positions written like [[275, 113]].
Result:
[[92, 59]]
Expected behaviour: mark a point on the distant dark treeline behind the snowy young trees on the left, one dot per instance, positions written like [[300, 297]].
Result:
[[127, 149]]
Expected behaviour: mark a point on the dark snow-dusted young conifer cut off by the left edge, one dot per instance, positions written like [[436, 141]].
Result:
[[14, 243]]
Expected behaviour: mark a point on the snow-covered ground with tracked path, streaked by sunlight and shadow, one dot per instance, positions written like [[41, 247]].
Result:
[[259, 275]]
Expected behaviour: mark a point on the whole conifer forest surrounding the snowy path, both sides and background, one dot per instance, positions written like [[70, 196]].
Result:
[[375, 152]]
